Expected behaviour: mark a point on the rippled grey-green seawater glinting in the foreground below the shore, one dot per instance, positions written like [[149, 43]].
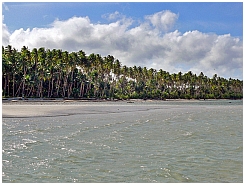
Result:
[[159, 141]]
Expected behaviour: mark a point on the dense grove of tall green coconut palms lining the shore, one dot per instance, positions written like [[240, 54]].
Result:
[[45, 73]]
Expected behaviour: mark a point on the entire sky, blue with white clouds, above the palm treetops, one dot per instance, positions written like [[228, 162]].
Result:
[[199, 37]]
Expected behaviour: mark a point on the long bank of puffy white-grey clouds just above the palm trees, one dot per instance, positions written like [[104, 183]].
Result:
[[151, 43]]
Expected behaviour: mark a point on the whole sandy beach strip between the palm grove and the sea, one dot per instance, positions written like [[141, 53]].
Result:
[[12, 108]]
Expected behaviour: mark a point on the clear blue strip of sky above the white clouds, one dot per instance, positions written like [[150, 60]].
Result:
[[221, 18]]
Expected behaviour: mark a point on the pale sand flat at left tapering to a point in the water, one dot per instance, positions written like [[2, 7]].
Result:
[[21, 109]]
